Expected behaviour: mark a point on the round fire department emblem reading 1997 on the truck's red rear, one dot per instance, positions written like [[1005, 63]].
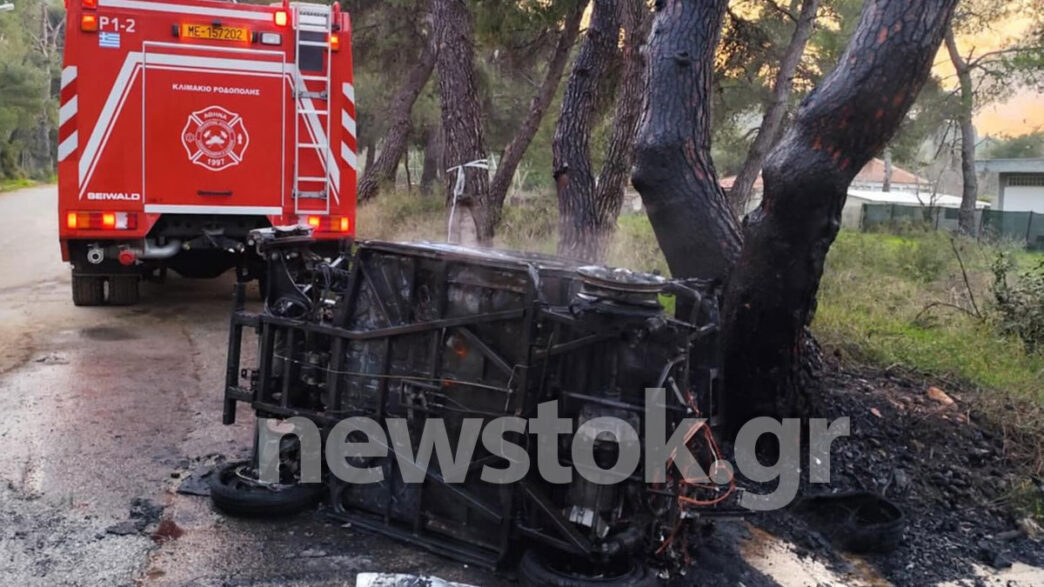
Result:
[[216, 138]]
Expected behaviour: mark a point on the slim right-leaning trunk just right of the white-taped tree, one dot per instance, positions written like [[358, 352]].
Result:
[[538, 107]]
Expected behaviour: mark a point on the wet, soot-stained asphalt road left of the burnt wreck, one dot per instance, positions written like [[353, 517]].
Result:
[[103, 412]]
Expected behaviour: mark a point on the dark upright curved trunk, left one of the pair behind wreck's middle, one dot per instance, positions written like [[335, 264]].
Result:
[[574, 177]]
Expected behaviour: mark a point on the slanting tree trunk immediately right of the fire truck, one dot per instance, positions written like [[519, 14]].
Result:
[[397, 139]]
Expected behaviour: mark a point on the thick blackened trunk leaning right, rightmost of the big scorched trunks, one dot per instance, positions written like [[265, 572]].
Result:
[[848, 120]]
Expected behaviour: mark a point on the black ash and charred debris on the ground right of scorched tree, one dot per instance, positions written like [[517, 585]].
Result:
[[945, 465]]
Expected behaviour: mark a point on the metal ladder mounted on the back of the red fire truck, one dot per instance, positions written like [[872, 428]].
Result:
[[318, 19]]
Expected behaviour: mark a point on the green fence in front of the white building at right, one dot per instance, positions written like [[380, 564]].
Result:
[[992, 225]]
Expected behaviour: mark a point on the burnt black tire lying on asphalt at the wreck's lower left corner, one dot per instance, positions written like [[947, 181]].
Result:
[[234, 492]]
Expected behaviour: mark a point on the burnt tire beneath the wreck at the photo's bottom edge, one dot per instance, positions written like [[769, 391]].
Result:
[[539, 570]]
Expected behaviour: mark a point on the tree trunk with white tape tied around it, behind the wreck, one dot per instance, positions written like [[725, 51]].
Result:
[[462, 123]]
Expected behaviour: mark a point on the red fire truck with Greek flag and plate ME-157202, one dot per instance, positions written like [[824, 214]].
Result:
[[185, 125]]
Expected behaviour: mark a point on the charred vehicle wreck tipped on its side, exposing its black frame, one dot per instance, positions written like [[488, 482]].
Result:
[[422, 332]]
